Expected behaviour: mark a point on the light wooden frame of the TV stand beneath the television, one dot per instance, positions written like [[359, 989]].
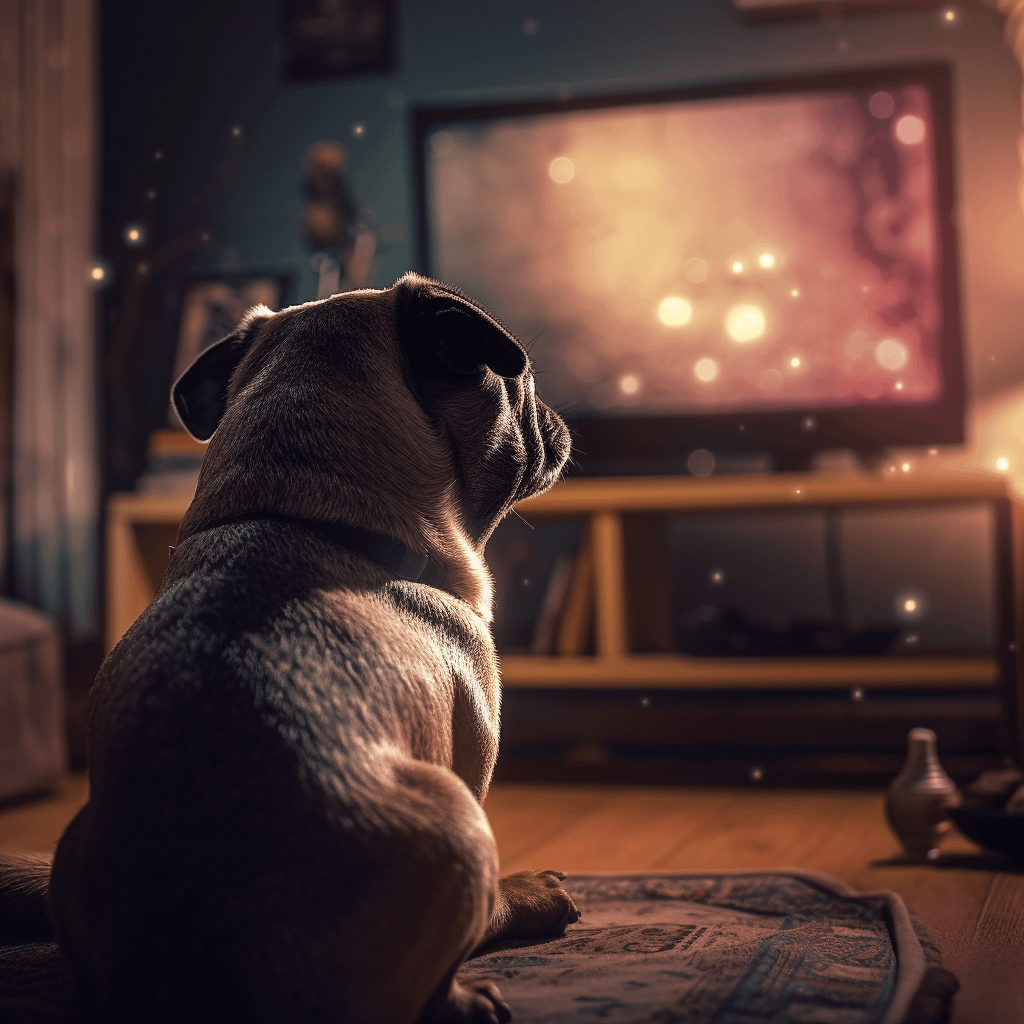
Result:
[[143, 526]]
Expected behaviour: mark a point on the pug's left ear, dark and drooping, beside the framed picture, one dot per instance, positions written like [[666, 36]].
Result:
[[200, 395]]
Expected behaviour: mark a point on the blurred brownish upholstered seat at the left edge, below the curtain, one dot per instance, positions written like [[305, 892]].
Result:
[[33, 747]]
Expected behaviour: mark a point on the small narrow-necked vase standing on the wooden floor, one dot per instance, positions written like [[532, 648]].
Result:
[[919, 798]]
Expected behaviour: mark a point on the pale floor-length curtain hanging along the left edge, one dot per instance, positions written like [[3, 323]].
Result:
[[48, 150]]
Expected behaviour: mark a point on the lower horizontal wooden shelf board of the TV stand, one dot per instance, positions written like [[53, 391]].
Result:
[[675, 672]]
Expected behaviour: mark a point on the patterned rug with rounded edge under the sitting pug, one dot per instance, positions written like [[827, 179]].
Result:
[[790, 948]]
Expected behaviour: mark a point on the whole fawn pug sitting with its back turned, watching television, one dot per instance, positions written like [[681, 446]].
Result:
[[289, 748]]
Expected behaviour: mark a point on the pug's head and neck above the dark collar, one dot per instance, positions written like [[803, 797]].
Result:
[[409, 411]]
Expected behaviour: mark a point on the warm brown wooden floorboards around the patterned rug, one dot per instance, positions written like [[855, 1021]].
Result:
[[973, 906]]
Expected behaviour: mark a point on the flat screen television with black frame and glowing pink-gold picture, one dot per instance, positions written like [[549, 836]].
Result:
[[748, 268]]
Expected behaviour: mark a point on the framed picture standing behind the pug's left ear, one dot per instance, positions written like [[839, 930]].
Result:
[[212, 306]]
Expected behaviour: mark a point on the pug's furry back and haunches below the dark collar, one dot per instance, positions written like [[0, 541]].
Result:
[[269, 704]]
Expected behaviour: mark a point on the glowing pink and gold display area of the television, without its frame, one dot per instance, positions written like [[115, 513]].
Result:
[[735, 254]]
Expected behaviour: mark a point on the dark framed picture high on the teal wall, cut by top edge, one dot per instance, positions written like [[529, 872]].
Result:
[[324, 39]]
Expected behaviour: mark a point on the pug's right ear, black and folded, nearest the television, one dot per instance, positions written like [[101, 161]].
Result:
[[439, 324]]
